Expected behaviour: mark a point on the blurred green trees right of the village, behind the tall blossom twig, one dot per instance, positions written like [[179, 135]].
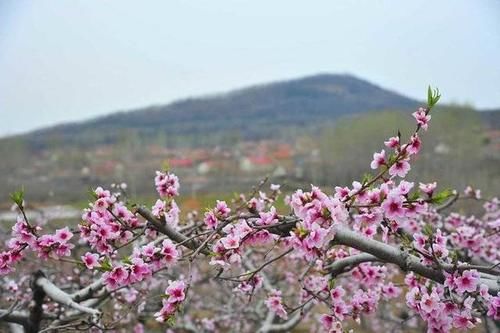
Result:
[[457, 140]]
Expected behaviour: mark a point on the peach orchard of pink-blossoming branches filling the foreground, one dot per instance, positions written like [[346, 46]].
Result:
[[385, 254]]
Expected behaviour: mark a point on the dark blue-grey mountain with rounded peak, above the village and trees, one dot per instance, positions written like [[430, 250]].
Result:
[[257, 112]]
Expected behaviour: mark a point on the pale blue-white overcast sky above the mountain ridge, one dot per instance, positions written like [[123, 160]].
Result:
[[72, 60]]
